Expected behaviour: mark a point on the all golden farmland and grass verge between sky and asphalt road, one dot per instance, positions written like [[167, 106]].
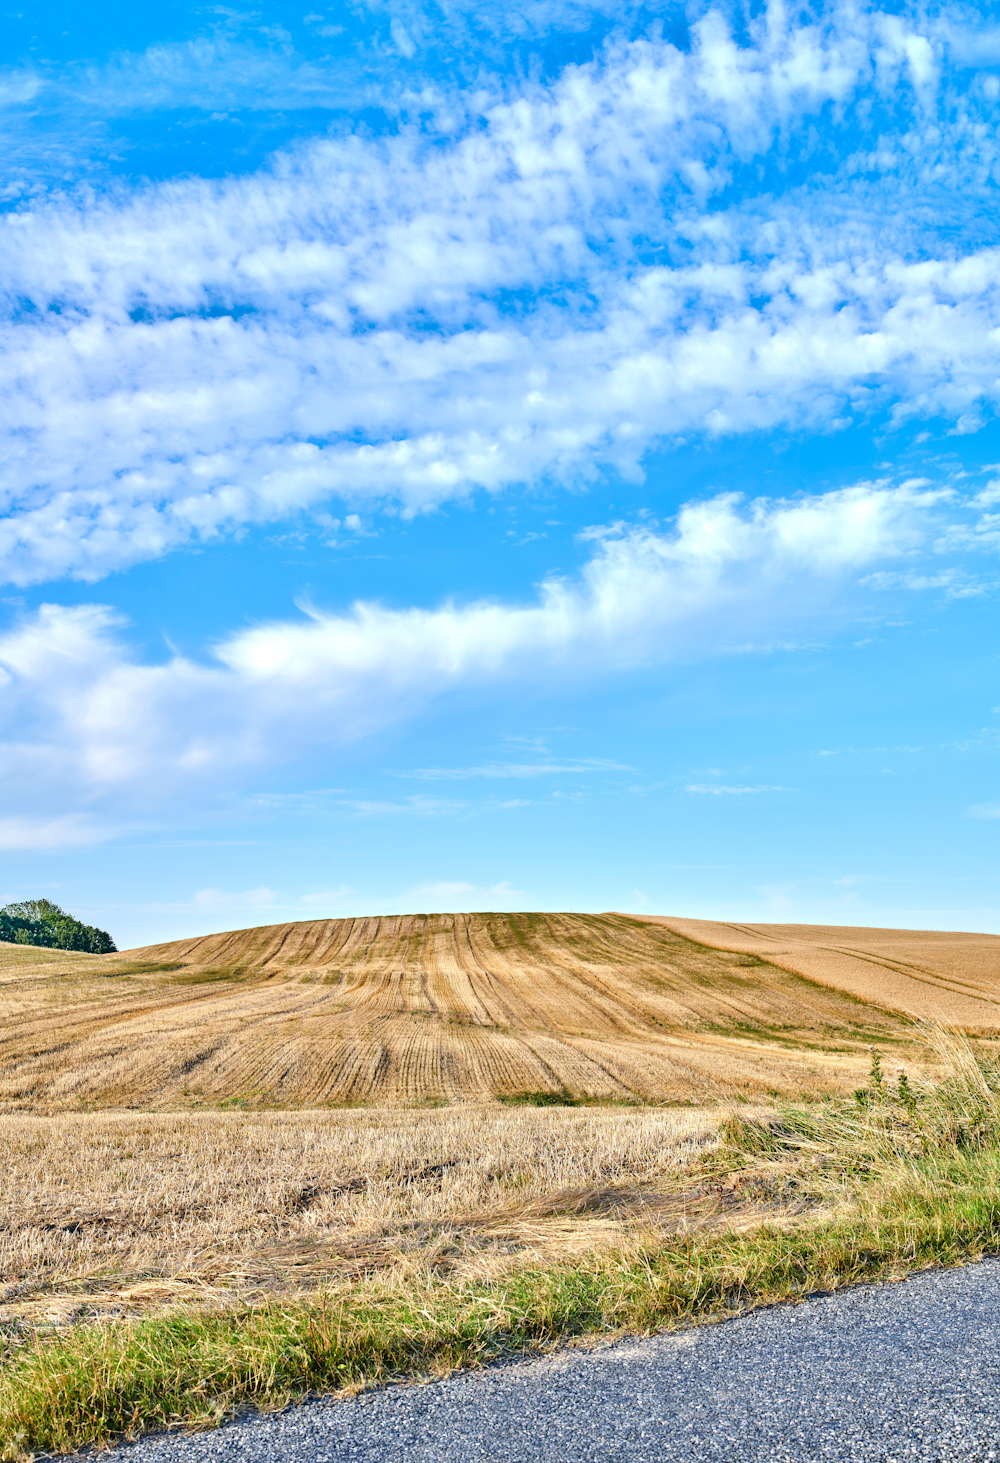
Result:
[[251, 1165]]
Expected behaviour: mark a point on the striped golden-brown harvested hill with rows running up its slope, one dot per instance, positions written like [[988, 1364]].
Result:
[[426, 1009]]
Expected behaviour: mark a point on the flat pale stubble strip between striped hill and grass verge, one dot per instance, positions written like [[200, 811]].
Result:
[[107, 1215]]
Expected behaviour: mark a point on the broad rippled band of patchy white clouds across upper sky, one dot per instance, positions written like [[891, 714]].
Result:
[[195, 356]]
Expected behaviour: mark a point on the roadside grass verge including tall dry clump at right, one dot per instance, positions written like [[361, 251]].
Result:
[[900, 1178]]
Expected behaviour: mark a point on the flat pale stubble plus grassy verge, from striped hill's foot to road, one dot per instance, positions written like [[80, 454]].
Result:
[[252, 1260]]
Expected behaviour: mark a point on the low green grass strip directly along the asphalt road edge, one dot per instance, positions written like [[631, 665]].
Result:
[[119, 1380]]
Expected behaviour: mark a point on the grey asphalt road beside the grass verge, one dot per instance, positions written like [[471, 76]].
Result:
[[891, 1373]]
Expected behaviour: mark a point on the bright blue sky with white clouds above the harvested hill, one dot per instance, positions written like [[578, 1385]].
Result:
[[529, 457]]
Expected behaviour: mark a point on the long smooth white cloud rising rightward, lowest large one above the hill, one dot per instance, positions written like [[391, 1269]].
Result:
[[87, 726]]
